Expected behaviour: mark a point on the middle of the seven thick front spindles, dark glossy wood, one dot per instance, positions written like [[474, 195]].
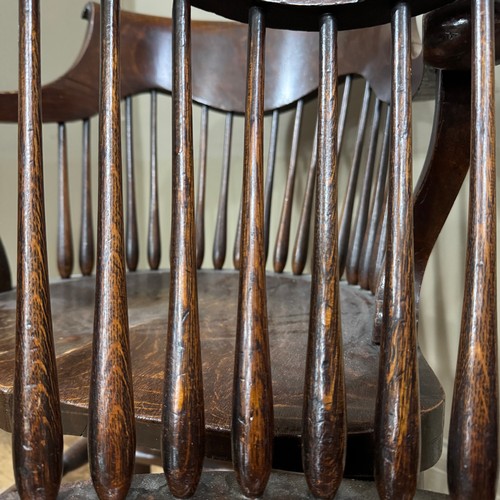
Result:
[[252, 418]]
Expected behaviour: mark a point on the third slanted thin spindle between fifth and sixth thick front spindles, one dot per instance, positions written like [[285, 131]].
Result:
[[355, 246]]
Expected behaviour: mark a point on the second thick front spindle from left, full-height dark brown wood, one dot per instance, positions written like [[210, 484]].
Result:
[[111, 428]]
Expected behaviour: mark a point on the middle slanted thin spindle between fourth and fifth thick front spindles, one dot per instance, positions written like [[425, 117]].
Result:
[[283, 234]]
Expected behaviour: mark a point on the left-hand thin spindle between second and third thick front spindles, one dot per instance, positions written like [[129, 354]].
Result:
[[131, 237]]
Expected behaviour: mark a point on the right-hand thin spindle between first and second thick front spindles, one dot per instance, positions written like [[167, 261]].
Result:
[[86, 253]]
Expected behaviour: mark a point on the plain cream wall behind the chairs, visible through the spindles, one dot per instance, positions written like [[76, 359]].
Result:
[[62, 33]]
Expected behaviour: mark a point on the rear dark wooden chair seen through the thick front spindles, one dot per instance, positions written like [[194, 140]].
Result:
[[146, 40]]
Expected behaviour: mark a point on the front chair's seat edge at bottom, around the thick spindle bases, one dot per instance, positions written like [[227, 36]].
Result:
[[223, 485]]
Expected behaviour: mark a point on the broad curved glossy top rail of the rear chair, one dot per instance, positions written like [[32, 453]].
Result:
[[146, 47]]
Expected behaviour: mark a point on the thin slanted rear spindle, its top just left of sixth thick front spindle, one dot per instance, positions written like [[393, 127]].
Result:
[[376, 209]]
